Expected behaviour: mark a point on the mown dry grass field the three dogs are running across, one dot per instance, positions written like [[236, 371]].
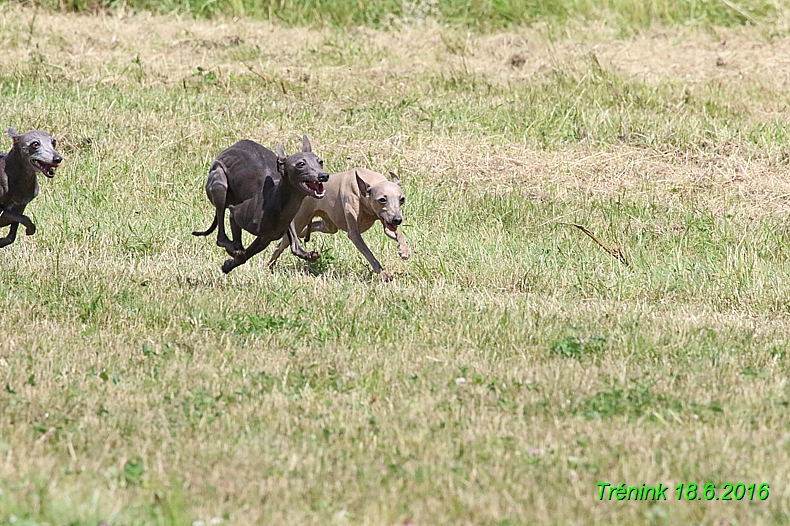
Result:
[[512, 364]]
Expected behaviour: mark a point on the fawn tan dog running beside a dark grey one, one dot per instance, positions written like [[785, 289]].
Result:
[[354, 201]]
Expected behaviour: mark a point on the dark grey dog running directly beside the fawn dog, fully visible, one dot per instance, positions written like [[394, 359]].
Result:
[[263, 192]]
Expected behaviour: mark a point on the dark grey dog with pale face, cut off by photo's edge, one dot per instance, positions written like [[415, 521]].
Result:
[[32, 153]]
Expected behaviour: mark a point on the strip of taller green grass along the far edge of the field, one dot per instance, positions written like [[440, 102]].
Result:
[[485, 15]]
